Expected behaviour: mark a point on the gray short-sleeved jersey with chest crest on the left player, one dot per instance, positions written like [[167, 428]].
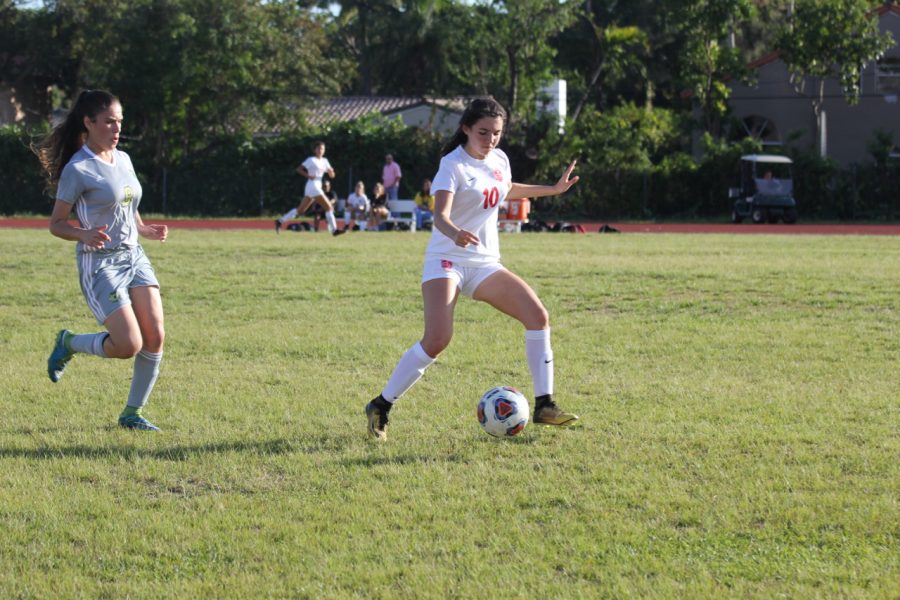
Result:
[[103, 194]]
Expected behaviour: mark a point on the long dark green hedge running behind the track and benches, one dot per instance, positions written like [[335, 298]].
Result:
[[254, 177]]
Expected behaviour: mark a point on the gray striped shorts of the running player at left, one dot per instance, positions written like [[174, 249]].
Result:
[[106, 278]]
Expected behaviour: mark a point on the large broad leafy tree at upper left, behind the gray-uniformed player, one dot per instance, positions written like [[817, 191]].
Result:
[[191, 70]]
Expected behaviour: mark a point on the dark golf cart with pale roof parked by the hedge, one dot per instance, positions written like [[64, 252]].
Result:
[[767, 190]]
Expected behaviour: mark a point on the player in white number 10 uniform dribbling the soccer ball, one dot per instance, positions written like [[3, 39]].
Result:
[[464, 256]]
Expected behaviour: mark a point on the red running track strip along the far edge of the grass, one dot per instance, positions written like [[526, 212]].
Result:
[[839, 229]]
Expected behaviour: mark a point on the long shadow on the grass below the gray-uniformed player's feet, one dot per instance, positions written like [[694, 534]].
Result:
[[180, 452]]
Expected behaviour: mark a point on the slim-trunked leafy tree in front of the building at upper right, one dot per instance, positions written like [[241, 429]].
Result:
[[830, 39]]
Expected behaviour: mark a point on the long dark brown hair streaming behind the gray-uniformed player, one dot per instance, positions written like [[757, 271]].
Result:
[[66, 139]]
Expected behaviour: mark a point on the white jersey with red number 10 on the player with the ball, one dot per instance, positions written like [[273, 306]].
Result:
[[478, 188]]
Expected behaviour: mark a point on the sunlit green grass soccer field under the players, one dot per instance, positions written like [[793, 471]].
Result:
[[738, 399]]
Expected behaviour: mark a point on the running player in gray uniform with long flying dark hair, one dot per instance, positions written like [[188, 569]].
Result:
[[97, 181]]
